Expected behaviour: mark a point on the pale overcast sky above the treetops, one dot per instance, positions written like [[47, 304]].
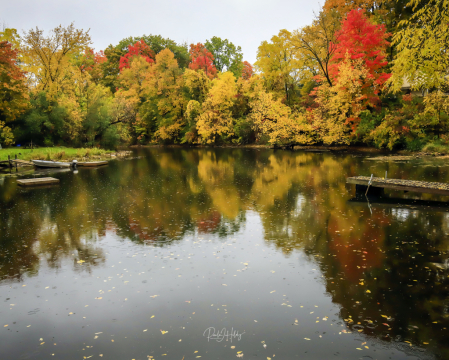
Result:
[[245, 23]]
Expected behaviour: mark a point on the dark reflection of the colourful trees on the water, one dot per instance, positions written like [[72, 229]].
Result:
[[386, 267]]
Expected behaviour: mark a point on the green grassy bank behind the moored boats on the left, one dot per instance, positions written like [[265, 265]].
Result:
[[53, 153]]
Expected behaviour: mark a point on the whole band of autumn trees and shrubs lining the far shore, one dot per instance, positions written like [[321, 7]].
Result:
[[354, 76]]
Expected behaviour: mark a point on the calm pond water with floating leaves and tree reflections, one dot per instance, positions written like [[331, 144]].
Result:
[[221, 254]]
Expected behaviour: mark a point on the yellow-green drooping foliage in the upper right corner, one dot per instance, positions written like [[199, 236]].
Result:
[[422, 55]]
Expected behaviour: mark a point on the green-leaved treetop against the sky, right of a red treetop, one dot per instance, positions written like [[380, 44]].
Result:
[[227, 56]]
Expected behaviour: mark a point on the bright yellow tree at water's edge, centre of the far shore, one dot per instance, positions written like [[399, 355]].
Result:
[[216, 119]]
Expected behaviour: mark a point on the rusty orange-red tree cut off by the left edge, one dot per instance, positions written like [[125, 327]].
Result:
[[13, 90]]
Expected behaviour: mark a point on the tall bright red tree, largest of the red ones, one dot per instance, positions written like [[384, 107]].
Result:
[[362, 39]]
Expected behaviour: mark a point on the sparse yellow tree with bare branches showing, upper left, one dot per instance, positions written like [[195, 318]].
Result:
[[47, 58]]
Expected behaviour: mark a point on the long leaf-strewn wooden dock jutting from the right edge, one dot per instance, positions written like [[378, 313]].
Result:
[[399, 184]]
